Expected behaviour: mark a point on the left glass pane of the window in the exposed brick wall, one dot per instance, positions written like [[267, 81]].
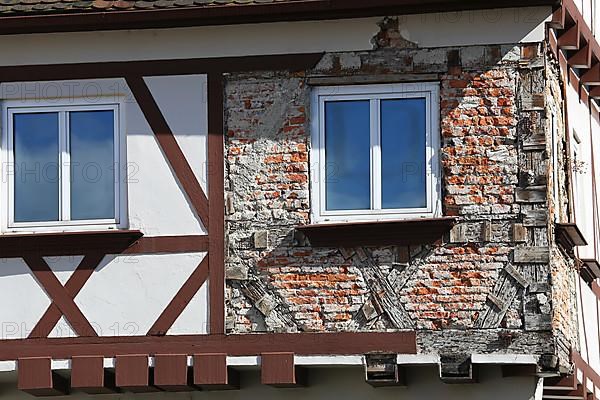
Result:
[[348, 155]]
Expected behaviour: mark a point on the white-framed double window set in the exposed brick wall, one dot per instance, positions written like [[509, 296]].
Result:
[[375, 152]]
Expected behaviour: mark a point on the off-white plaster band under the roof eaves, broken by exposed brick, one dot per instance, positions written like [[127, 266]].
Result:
[[502, 26]]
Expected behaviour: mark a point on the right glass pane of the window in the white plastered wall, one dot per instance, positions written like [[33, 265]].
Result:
[[92, 165]]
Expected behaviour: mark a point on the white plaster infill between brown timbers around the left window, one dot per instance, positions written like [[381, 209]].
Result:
[[126, 294]]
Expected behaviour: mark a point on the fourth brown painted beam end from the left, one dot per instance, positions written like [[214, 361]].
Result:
[[171, 372]]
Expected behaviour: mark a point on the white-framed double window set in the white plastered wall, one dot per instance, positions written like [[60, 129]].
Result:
[[62, 165]]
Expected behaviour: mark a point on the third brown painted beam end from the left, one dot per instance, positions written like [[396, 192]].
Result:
[[132, 373]]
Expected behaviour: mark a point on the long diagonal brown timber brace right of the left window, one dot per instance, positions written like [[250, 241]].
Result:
[[168, 143]]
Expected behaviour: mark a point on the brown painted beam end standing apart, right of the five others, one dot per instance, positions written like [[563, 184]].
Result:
[[278, 370]]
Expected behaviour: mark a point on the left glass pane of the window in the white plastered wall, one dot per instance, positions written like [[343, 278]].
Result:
[[36, 160]]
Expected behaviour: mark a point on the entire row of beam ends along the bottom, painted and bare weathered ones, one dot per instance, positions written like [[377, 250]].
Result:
[[172, 372]]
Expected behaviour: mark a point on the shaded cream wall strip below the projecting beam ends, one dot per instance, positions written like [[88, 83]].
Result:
[[342, 383]]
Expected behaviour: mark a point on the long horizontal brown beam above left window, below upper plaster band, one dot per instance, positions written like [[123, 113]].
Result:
[[120, 69]]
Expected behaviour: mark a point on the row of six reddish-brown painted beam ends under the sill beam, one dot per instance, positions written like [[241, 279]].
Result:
[[132, 373]]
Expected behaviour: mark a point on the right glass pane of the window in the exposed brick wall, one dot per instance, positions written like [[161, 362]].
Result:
[[403, 142]]
